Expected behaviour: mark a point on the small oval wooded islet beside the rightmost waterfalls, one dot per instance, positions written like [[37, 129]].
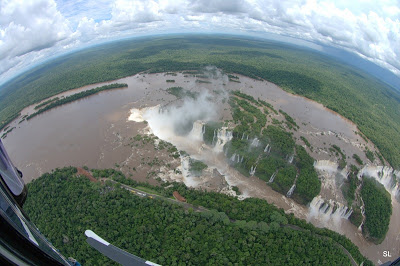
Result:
[[378, 209]]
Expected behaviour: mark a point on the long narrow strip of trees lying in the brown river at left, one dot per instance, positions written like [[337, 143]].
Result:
[[52, 103]]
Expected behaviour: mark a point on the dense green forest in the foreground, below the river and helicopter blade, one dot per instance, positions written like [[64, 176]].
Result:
[[230, 232]]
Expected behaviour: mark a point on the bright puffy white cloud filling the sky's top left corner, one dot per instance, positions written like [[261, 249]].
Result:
[[28, 27]]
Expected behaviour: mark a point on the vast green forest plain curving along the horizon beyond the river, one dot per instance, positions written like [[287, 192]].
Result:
[[373, 106]]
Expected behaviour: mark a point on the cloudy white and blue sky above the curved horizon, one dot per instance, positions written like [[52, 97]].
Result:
[[34, 30]]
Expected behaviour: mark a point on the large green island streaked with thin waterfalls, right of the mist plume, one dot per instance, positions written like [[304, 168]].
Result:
[[271, 153]]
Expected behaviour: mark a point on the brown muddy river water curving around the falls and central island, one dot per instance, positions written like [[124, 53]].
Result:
[[95, 132]]
